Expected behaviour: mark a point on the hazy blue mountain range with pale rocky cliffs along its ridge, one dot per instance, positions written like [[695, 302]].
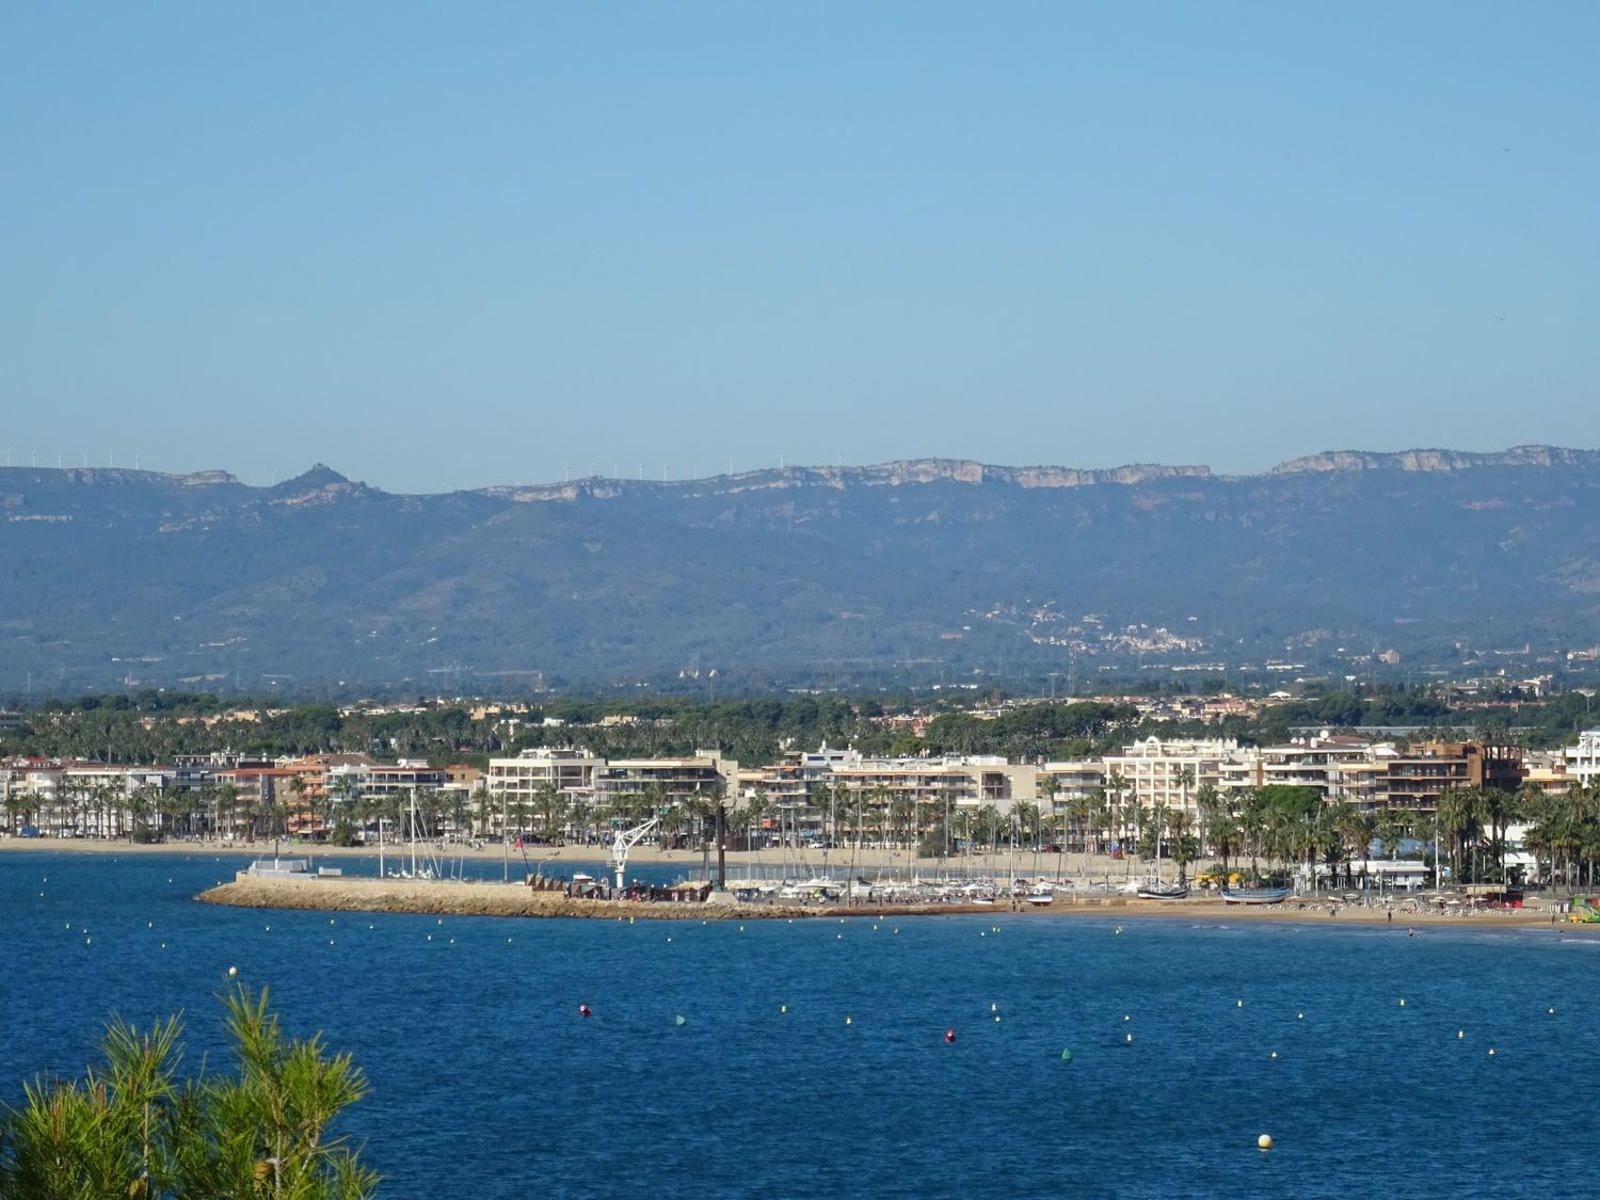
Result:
[[854, 577]]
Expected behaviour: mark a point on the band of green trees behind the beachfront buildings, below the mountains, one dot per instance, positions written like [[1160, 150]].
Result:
[[159, 727]]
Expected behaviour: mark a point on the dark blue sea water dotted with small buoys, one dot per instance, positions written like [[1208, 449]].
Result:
[[489, 1084]]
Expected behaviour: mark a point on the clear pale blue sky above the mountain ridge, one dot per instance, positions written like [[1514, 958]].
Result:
[[447, 246]]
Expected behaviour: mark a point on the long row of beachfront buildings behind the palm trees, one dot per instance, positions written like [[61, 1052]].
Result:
[[228, 796]]
